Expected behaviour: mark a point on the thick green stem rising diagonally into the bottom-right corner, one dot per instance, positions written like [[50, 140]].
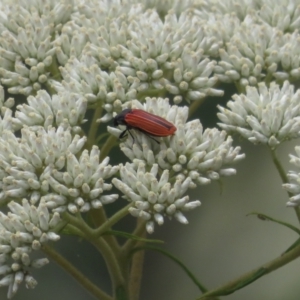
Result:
[[255, 274]]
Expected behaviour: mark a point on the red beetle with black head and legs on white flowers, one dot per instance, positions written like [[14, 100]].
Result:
[[151, 125]]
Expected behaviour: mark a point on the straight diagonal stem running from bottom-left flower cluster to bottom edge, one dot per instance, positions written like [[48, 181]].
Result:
[[68, 267]]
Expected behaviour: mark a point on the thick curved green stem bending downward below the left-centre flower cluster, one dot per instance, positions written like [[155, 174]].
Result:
[[103, 247]]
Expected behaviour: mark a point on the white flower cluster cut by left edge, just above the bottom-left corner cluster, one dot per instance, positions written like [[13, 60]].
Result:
[[25, 162]]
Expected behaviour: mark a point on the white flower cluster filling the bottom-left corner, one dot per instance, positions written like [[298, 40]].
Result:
[[23, 231]]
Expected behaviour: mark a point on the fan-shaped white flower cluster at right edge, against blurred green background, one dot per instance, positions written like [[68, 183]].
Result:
[[264, 115]]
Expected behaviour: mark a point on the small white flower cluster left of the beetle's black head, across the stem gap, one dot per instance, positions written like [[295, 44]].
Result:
[[45, 110]]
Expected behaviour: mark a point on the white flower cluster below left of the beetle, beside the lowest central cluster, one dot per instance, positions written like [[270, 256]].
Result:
[[81, 186]]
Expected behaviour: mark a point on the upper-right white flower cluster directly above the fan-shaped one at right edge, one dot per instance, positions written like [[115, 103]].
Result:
[[250, 54]]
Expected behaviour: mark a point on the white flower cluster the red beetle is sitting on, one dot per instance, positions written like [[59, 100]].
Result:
[[189, 153]]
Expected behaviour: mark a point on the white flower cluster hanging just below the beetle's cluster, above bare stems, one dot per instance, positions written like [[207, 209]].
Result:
[[153, 195]]
